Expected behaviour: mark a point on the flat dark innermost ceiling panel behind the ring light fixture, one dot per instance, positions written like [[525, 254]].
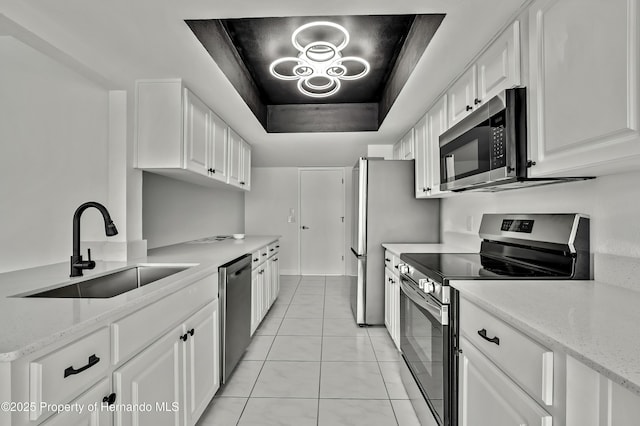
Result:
[[377, 39]]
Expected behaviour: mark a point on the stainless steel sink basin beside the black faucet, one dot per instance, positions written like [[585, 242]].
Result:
[[113, 284]]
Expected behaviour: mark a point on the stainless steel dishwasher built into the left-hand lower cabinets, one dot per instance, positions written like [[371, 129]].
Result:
[[235, 312]]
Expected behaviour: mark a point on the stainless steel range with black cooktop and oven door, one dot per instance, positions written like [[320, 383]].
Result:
[[514, 246]]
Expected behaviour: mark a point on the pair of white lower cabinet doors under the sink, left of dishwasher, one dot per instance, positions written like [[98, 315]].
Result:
[[172, 381]]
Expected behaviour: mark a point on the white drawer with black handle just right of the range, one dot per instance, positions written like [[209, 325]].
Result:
[[525, 361]]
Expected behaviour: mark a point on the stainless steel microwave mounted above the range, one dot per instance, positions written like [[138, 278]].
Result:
[[487, 150]]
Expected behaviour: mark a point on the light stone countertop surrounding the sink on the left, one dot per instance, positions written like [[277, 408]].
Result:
[[29, 324]]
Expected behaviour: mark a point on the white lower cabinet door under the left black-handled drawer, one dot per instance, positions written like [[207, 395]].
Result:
[[99, 417]]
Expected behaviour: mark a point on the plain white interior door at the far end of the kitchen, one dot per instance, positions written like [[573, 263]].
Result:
[[322, 221]]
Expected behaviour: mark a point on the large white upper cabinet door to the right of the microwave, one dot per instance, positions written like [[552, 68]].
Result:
[[584, 79]]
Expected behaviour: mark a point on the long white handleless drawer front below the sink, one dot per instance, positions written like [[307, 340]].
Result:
[[132, 333]]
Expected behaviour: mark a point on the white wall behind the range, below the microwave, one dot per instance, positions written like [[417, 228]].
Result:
[[612, 202]]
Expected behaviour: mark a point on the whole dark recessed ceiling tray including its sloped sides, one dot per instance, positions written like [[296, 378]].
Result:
[[389, 46]]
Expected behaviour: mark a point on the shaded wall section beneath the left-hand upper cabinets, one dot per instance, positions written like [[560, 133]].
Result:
[[174, 211]]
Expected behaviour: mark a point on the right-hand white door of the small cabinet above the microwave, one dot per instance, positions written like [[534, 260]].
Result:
[[499, 66]]
